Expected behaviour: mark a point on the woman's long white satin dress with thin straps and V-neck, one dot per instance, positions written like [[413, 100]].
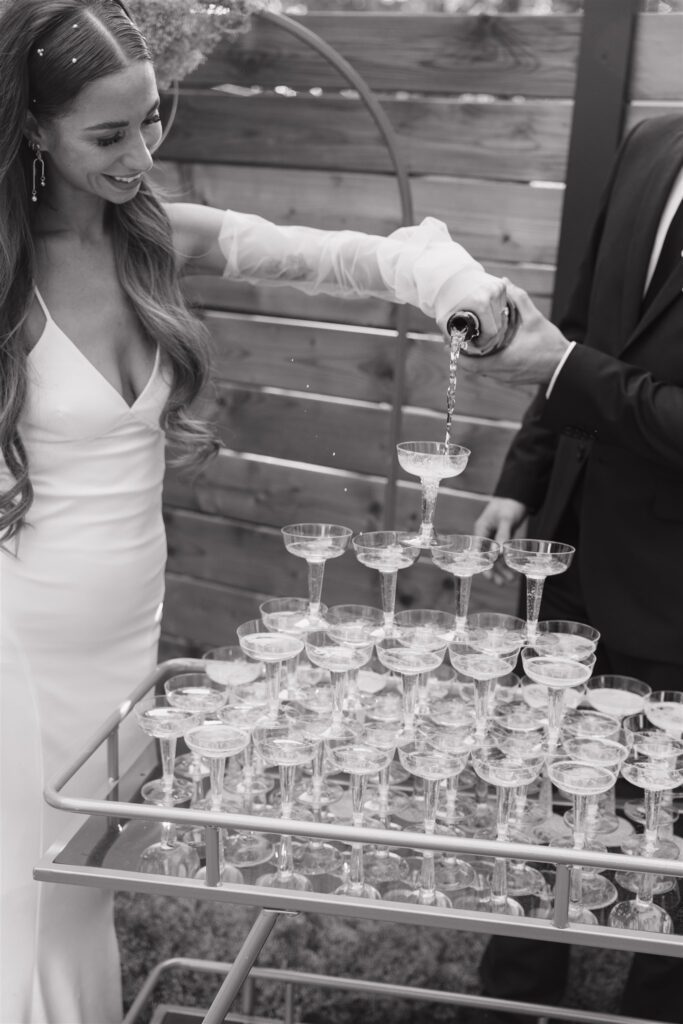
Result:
[[81, 593]]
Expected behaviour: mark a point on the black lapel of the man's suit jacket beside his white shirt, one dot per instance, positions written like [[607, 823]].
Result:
[[644, 231]]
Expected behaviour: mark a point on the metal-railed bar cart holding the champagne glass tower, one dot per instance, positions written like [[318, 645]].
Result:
[[96, 857]]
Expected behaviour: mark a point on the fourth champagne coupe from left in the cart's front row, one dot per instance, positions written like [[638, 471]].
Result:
[[360, 750]]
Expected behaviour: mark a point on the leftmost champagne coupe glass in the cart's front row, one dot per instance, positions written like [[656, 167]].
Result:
[[166, 723]]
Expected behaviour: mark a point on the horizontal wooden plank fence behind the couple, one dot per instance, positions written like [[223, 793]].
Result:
[[306, 388]]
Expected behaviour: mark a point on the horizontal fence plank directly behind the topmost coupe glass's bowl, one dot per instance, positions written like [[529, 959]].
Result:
[[350, 437]]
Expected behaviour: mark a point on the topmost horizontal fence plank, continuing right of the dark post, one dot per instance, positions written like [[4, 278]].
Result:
[[444, 54]]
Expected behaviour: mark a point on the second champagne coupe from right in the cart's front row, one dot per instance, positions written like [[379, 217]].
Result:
[[585, 782]]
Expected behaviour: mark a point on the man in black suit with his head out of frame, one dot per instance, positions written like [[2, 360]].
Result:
[[599, 463]]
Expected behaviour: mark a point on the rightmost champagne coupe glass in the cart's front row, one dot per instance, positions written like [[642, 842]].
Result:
[[656, 776]]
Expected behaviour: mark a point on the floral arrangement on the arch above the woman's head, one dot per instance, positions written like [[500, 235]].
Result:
[[181, 34]]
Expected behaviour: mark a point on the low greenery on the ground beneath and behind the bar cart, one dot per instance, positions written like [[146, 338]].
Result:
[[152, 929]]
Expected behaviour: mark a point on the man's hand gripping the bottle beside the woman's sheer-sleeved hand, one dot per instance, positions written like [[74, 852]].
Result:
[[533, 355]]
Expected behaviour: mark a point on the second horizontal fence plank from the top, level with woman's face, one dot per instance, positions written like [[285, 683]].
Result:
[[500, 141]]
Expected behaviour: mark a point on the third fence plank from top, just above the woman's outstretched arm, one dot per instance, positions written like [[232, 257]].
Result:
[[504, 222]]
